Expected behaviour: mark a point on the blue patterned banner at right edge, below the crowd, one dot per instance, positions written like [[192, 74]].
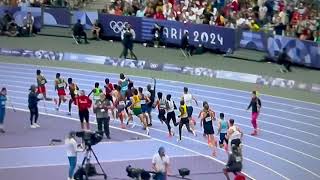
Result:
[[305, 53]]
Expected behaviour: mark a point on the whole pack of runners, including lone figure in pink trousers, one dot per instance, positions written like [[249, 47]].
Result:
[[129, 101]]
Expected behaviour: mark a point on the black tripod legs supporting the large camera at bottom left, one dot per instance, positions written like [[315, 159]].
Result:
[[87, 169]]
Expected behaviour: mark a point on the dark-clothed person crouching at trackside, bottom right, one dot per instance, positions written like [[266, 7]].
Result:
[[234, 164]]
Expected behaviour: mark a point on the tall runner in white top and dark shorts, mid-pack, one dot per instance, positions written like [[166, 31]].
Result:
[[188, 98]]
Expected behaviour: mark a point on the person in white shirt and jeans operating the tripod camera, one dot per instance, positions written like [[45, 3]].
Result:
[[72, 150]]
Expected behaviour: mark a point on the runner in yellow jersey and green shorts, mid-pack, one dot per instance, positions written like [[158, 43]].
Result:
[[136, 108]]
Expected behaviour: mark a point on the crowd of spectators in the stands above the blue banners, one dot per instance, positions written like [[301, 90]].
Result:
[[294, 18]]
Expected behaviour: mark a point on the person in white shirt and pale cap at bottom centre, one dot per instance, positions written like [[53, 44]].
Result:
[[160, 164]]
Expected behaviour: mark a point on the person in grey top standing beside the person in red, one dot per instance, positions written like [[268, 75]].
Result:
[[101, 109]]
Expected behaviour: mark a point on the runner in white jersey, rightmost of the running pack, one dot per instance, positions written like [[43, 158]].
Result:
[[234, 136]]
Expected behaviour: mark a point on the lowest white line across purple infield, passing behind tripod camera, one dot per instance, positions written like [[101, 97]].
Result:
[[103, 161]]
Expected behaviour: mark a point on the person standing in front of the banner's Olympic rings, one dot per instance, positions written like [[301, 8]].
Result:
[[127, 36]]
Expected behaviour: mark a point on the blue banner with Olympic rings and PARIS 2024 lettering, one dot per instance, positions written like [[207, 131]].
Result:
[[211, 37]]
